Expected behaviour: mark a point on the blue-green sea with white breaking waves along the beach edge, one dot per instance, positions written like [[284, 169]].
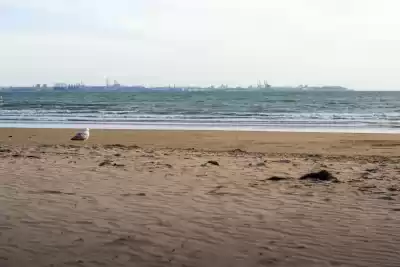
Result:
[[348, 111]]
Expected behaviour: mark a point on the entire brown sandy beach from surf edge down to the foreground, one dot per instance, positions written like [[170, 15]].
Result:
[[148, 198]]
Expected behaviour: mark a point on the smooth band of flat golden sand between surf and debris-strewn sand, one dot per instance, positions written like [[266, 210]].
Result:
[[262, 142]]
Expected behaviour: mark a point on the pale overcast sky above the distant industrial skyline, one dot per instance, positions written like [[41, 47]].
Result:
[[354, 43]]
